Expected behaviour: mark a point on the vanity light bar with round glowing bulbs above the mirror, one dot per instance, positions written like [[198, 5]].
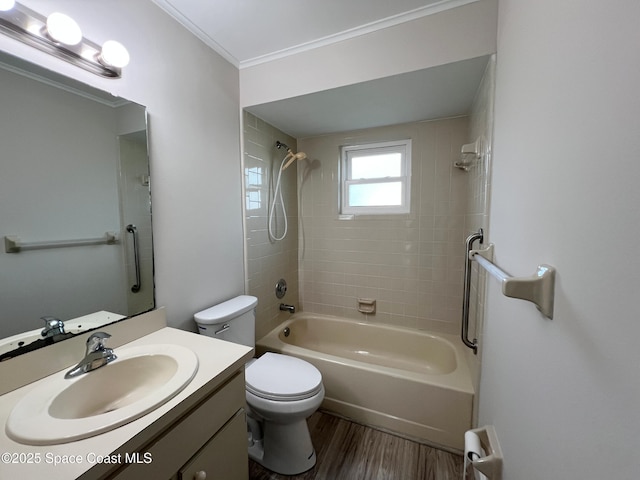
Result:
[[60, 35]]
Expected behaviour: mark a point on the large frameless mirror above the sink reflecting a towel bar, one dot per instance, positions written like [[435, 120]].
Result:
[[75, 207]]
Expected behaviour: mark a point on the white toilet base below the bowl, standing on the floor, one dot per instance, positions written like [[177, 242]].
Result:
[[285, 448]]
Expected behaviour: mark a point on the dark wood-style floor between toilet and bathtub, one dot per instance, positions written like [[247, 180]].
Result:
[[349, 451]]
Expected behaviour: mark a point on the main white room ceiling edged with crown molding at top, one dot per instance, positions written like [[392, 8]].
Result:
[[246, 32]]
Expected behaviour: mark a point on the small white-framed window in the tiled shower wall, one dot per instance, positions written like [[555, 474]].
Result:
[[376, 178]]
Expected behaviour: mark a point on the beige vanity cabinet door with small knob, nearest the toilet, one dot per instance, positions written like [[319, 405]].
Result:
[[224, 457]]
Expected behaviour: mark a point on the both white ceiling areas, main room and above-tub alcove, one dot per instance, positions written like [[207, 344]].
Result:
[[249, 32]]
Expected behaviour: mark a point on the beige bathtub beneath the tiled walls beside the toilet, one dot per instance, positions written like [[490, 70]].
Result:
[[407, 381]]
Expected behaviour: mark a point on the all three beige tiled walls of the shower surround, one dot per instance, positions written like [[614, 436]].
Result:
[[412, 265]]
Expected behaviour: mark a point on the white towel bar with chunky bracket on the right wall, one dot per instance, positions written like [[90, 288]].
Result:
[[538, 289]]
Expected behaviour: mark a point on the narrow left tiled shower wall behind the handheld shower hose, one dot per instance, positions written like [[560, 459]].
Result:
[[268, 261]]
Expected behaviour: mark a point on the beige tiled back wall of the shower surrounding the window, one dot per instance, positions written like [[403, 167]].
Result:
[[412, 265]]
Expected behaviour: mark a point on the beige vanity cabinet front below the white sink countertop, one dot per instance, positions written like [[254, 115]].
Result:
[[209, 442]]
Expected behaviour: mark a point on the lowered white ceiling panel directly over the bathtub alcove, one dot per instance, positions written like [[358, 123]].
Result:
[[438, 92]]
